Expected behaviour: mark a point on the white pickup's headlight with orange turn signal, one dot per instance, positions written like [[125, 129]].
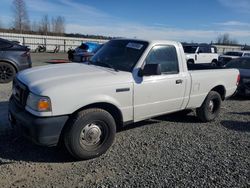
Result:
[[39, 103]]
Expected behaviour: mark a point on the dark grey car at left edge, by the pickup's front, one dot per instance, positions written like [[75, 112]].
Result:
[[13, 58]]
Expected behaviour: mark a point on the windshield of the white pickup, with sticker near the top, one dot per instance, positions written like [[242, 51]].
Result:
[[119, 54]]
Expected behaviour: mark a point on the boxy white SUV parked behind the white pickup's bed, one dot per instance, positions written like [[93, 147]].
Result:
[[200, 53]]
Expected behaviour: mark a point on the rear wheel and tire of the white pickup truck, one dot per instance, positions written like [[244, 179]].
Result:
[[210, 108]]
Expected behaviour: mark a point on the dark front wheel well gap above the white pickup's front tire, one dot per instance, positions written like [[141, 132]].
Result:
[[112, 109]]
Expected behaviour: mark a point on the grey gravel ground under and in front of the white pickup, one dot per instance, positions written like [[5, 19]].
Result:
[[168, 151]]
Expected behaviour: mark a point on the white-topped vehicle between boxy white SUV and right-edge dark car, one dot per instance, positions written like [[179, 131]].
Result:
[[226, 57]]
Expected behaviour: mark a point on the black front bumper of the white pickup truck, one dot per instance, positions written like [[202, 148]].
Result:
[[41, 130]]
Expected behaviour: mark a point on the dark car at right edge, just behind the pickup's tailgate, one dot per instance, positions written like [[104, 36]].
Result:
[[243, 64]]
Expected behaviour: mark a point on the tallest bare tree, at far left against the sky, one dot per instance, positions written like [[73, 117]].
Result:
[[21, 20]]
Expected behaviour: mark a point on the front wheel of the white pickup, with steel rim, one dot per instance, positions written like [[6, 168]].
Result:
[[86, 128]]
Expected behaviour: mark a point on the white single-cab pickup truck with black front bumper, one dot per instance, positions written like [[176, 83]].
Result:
[[126, 81]]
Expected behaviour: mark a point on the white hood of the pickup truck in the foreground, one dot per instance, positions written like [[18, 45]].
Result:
[[76, 75]]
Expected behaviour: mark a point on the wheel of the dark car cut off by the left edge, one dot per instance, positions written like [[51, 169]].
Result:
[[7, 72]]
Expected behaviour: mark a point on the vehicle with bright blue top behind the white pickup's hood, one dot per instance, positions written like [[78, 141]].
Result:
[[84, 52]]
